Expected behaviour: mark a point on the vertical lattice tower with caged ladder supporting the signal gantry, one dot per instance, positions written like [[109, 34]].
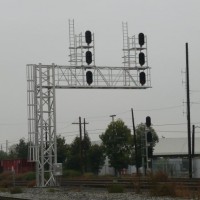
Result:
[[42, 122]]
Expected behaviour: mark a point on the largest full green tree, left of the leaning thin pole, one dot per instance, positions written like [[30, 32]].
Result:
[[117, 143]]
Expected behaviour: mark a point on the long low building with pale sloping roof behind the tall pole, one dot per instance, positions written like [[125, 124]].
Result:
[[171, 155]]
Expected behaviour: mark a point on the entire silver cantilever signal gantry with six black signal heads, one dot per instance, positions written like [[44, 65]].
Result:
[[82, 73]]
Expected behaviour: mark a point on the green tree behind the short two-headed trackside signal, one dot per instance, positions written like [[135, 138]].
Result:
[[140, 138]]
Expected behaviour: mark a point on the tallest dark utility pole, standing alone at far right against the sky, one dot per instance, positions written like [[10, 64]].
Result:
[[188, 112]]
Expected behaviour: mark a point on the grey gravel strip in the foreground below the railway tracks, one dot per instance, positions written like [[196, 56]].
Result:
[[76, 194]]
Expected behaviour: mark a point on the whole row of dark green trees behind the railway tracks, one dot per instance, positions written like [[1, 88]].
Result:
[[117, 143]]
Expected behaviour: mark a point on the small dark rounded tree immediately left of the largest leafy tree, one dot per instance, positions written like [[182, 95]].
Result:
[[96, 158]]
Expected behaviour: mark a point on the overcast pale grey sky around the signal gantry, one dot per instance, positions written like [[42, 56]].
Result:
[[36, 31]]
